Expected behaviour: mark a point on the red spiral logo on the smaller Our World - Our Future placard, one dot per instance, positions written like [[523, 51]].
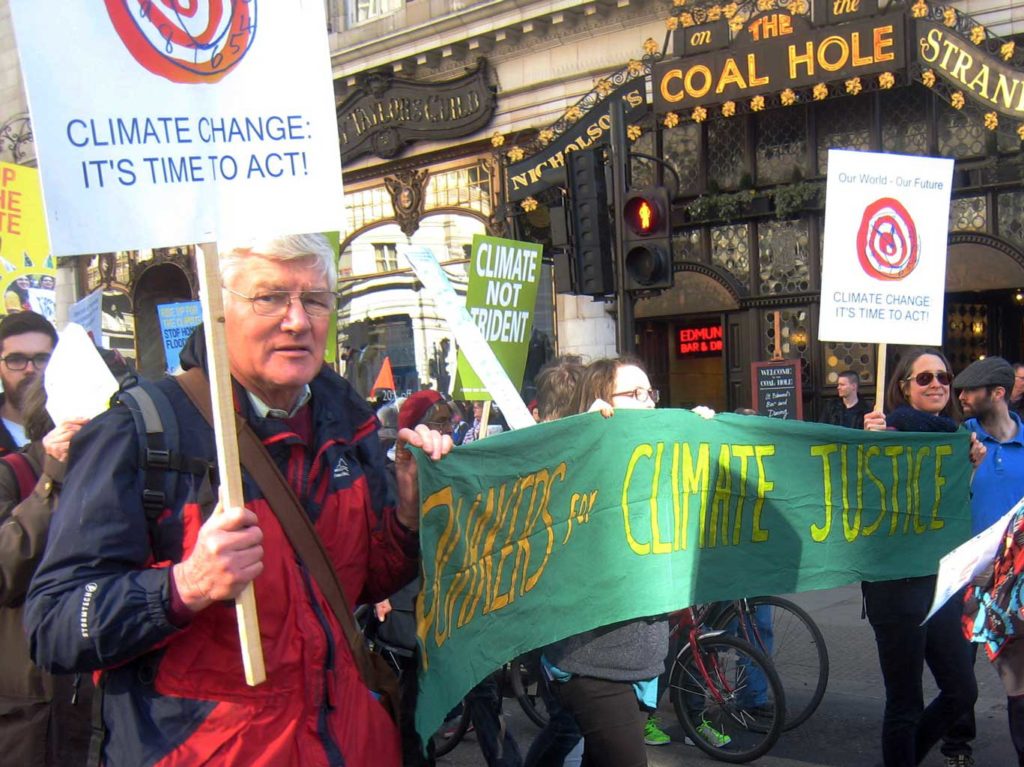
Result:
[[887, 241]]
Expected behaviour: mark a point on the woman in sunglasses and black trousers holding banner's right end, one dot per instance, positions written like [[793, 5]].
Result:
[[918, 399]]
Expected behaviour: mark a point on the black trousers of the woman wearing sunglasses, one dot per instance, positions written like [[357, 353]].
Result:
[[895, 610]]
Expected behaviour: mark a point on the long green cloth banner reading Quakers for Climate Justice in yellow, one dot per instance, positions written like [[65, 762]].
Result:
[[540, 534]]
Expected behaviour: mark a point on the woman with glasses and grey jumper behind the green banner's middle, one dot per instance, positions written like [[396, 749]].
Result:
[[605, 676]]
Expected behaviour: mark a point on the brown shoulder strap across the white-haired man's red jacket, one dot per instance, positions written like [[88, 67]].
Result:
[[291, 516]]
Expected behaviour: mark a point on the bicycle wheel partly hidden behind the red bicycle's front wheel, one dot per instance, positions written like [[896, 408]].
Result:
[[795, 646]]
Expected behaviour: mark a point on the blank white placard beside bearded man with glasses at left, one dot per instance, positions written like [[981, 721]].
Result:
[[78, 382]]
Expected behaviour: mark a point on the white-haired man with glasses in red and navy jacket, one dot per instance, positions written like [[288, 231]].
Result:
[[142, 588]]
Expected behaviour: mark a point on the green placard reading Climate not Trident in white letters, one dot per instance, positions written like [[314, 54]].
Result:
[[502, 291]]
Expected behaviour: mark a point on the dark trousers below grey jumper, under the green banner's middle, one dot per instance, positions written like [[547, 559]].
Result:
[[610, 719]]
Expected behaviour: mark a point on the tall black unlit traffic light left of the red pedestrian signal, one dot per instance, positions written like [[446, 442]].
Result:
[[591, 236]]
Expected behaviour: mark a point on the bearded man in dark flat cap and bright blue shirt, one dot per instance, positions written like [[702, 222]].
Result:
[[985, 388]]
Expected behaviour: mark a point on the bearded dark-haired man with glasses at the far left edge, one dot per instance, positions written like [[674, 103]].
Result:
[[27, 340]]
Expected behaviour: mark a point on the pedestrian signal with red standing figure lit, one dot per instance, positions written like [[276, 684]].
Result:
[[648, 239]]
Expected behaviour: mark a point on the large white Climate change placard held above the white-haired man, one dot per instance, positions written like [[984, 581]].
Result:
[[159, 124]]
